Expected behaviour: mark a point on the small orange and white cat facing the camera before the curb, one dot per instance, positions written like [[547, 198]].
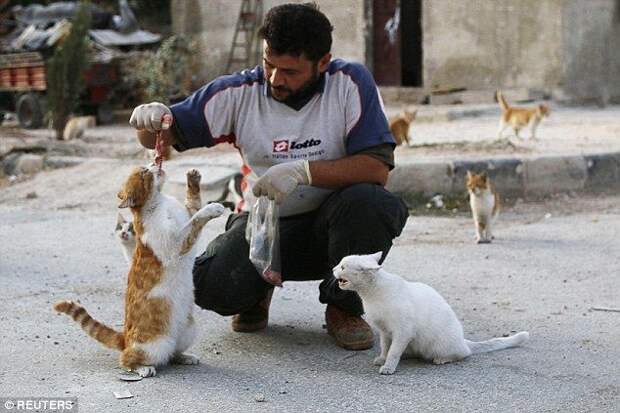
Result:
[[484, 203]]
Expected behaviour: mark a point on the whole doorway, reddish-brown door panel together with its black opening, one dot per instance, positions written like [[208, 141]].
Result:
[[397, 59]]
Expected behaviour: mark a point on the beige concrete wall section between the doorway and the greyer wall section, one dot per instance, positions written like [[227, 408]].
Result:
[[482, 44]]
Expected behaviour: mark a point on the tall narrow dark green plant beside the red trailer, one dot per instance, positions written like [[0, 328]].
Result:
[[65, 69]]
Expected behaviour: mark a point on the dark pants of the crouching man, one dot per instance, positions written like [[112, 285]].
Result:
[[360, 219]]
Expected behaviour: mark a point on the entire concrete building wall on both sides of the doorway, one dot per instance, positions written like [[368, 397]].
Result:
[[570, 47]]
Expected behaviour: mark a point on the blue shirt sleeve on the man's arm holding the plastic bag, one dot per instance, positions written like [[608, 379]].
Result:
[[371, 128]]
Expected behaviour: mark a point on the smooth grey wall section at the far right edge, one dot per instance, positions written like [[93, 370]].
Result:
[[591, 50]]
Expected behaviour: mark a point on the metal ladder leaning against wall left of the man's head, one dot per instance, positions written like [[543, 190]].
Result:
[[246, 46]]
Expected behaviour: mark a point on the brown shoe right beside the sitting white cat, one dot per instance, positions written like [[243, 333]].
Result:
[[349, 331]]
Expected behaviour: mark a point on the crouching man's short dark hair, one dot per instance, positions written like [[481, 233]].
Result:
[[297, 29]]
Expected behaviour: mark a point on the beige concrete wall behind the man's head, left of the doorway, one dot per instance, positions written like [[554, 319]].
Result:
[[212, 22]]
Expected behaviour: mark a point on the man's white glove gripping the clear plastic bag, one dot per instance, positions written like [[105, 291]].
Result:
[[282, 179]]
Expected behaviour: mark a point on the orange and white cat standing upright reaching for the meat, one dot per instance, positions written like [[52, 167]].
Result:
[[159, 326]]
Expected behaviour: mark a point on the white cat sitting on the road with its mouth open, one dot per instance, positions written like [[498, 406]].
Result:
[[411, 317]]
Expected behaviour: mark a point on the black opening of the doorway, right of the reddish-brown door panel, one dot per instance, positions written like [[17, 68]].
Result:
[[411, 42]]
